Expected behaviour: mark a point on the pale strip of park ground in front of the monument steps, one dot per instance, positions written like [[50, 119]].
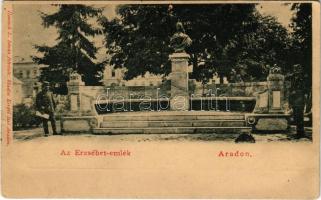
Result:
[[37, 134]]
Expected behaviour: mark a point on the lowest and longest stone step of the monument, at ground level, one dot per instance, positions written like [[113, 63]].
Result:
[[170, 130]]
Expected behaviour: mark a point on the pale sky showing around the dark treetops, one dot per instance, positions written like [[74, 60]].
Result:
[[28, 30]]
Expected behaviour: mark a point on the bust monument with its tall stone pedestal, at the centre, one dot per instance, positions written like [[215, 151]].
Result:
[[179, 75]]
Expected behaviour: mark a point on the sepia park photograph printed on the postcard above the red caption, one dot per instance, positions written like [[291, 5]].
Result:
[[242, 69]]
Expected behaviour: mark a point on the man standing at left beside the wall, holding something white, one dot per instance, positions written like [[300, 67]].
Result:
[[45, 104]]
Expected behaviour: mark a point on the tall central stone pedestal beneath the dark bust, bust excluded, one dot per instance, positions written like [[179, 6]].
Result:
[[179, 81]]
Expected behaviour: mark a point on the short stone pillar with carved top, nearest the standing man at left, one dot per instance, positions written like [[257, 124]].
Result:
[[74, 93]]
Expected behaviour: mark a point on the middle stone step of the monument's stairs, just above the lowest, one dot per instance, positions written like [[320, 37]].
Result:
[[184, 123]]
